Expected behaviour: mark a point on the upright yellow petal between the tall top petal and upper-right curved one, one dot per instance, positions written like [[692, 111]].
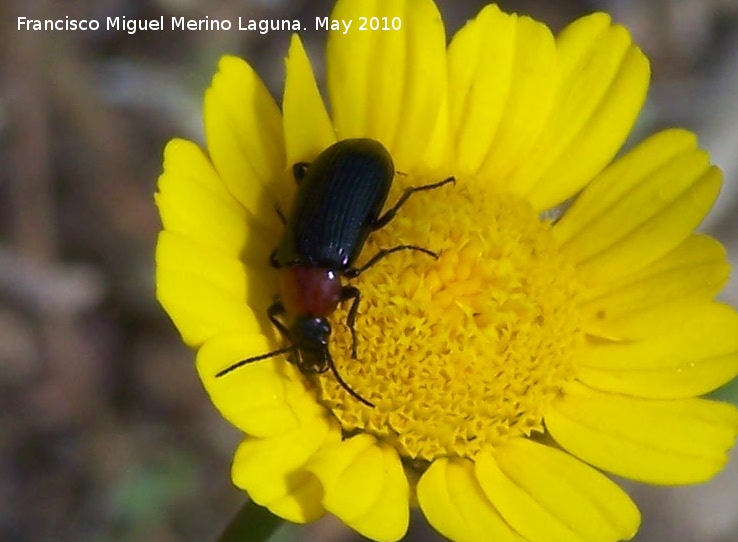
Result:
[[502, 82]]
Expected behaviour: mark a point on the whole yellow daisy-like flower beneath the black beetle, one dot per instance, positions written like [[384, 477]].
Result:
[[532, 353]]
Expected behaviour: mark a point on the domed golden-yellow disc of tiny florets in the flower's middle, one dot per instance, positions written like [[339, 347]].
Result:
[[461, 352]]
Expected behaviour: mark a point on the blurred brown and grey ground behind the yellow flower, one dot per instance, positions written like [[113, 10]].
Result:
[[105, 432]]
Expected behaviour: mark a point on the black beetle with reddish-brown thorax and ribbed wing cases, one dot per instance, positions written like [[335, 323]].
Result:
[[340, 196]]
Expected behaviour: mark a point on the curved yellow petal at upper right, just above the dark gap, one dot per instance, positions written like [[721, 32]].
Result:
[[604, 78]]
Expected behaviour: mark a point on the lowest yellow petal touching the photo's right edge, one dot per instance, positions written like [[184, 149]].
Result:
[[664, 442]]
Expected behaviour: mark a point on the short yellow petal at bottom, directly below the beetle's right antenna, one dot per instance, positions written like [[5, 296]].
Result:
[[365, 486]]
